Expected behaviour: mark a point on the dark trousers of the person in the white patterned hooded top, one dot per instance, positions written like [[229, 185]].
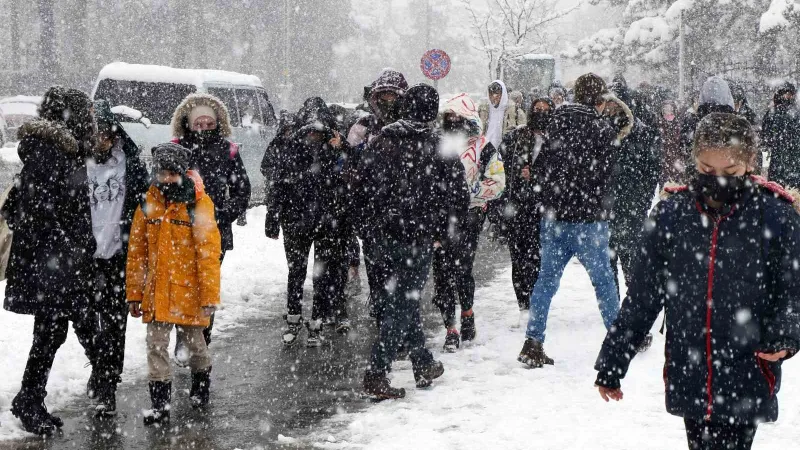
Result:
[[452, 268]]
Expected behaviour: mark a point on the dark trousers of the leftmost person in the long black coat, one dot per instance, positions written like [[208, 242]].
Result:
[[49, 333]]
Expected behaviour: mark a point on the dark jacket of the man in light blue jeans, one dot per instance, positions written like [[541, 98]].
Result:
[[579, 162]]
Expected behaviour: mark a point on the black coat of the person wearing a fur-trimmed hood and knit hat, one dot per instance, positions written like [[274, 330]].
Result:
[[220, 166]]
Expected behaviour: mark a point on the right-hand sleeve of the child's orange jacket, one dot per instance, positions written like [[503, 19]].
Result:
[[207, 242]]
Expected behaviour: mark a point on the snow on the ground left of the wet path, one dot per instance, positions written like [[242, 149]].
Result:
[[254, 272]]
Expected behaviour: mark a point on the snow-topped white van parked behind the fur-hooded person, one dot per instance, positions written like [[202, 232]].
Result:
[[156, 91]]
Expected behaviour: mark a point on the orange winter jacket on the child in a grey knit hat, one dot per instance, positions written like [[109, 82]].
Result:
[[173, 260]]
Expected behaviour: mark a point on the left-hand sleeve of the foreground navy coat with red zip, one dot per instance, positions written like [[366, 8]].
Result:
[[640, 309]]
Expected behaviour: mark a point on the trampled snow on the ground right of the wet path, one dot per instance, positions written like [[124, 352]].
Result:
[[486, 399]]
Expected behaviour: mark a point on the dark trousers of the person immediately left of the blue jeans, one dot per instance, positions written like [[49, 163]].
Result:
[[524, 245]]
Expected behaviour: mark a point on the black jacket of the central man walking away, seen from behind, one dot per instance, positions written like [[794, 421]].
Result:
[[405, 190]]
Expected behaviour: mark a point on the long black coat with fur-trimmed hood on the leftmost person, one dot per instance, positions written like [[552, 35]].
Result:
[[48, 211]]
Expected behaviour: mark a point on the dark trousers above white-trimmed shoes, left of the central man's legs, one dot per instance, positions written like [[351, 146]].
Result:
[[330, 273]]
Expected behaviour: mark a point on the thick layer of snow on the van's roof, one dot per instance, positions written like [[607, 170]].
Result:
[[162, 74]]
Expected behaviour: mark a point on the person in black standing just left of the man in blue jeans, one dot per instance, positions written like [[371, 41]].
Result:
[[521, 149]]
